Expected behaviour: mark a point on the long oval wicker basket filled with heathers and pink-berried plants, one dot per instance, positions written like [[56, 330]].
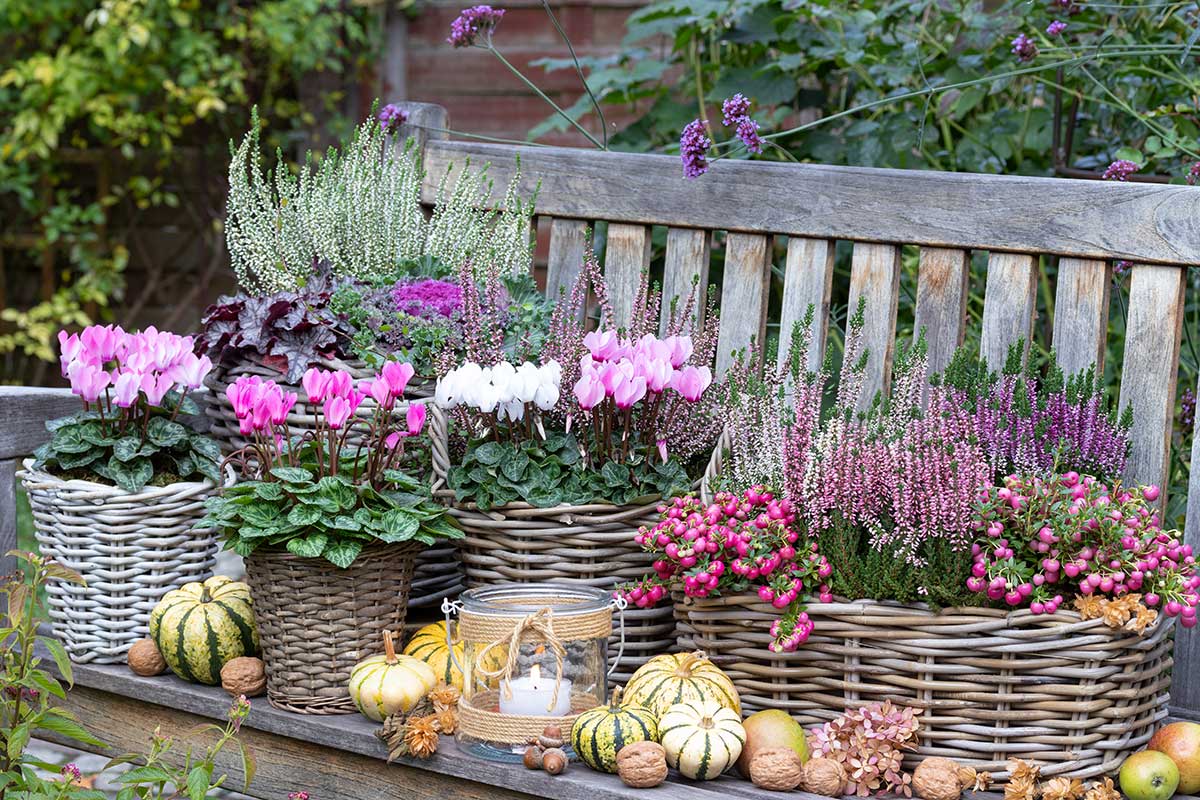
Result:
[[973, 533]]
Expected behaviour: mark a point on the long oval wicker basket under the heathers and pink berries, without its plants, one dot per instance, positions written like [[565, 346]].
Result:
[[1073, 696]]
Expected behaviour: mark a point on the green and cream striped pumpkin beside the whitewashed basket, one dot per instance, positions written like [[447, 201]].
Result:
[[203, 625]]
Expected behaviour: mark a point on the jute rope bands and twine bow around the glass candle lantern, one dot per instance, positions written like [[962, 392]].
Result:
[[478, 715]]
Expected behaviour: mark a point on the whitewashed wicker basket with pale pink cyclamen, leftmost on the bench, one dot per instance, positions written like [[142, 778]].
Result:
[[119, 488]]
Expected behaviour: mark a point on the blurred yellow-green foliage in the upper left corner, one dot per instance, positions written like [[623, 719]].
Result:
[[103, 103]]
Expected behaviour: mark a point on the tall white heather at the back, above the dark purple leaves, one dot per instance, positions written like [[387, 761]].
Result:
[[361, 213]]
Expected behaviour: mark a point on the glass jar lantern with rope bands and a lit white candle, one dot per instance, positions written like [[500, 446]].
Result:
[[533, 655]]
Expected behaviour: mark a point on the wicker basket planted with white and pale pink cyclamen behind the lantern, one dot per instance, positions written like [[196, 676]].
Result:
[[557, 464]]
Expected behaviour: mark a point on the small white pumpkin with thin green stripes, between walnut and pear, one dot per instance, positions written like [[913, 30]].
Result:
[[703, 738]]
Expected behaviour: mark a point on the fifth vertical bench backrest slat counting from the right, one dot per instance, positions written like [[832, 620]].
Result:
[[875, 276]]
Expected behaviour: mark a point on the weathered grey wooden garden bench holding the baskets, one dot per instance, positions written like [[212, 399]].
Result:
[[1087, 226]]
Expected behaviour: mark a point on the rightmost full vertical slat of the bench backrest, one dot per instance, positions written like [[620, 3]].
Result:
[[1154, 332]]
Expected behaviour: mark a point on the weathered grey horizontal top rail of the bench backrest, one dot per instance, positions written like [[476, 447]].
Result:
[[1109, 220]]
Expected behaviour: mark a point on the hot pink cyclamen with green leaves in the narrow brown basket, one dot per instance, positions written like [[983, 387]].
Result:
[[337, 489]]
